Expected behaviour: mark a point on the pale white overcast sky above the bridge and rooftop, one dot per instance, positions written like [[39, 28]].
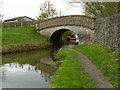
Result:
[[30, 8]]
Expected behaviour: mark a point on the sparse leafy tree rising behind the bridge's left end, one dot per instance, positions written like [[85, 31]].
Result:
[[47, 11]]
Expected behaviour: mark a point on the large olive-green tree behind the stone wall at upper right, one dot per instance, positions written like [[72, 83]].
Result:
[[98, 9]]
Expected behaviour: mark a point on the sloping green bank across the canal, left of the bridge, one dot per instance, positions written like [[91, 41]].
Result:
[[22, 39]]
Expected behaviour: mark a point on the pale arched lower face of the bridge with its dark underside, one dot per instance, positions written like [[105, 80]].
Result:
[[55, 33]]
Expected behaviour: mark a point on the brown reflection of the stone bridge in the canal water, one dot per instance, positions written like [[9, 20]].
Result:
[[47, 67]]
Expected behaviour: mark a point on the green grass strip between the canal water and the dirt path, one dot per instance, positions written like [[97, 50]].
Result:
[[71, 73]]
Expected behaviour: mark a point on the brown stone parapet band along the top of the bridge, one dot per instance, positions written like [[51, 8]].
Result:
[[71, 20]]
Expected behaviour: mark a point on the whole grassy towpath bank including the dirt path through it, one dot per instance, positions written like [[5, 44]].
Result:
[[75, 71]]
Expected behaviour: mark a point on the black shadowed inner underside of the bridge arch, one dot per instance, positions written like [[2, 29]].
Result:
[[56, 38]]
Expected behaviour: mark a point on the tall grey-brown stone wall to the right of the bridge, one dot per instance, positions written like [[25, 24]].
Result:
[[107, 32]]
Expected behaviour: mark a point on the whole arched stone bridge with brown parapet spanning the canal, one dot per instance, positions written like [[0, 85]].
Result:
[[55, 27]]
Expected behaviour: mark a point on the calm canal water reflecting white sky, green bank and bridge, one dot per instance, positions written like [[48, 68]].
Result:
[[33, 69]]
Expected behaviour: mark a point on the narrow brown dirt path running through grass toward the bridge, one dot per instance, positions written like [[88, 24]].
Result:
[[92, 70]]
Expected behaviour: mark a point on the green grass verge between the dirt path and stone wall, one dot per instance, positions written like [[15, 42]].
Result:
[[106, 60]]
